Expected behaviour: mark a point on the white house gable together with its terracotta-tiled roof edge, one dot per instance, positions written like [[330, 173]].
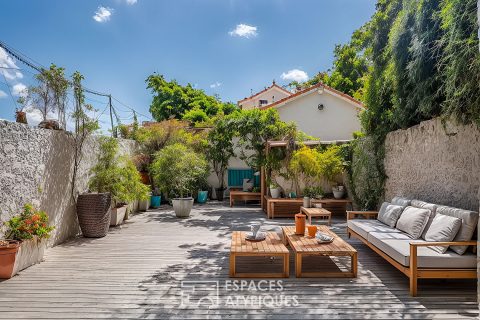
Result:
[[319, 111]]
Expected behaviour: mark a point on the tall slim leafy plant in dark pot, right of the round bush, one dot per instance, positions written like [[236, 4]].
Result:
[[220, 150]]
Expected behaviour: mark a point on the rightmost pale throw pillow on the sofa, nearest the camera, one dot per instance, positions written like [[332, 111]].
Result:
[[443, 228]]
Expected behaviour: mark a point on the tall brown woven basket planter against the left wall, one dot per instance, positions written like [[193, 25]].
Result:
[[93, 211]]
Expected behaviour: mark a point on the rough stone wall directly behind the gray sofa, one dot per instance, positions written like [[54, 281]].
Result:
[[435, 162]]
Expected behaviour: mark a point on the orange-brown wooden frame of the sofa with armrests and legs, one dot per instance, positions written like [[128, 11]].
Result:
[[413, 272]]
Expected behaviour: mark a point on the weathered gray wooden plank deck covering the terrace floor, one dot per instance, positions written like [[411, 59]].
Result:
[[136, 272]]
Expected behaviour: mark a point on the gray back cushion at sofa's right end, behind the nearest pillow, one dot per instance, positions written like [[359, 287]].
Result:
[[469, 222]]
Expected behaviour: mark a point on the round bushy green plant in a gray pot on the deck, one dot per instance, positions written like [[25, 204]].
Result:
[[177, 171]]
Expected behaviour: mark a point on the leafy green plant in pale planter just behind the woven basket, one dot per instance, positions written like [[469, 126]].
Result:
[[118, 177]]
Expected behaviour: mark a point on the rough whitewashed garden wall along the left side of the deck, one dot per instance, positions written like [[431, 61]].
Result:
[[36, 167]]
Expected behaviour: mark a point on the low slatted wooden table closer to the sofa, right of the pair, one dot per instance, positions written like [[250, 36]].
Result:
[[305, 246]]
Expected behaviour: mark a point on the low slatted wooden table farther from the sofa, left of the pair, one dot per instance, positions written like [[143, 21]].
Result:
[[272, 246]]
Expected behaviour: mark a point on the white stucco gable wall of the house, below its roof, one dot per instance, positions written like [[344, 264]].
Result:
[[337, 121]]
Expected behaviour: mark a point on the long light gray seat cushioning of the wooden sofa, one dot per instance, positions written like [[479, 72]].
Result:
[[397, 246]]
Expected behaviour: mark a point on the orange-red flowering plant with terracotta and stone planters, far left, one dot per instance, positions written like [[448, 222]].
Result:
[[26, 233]]
